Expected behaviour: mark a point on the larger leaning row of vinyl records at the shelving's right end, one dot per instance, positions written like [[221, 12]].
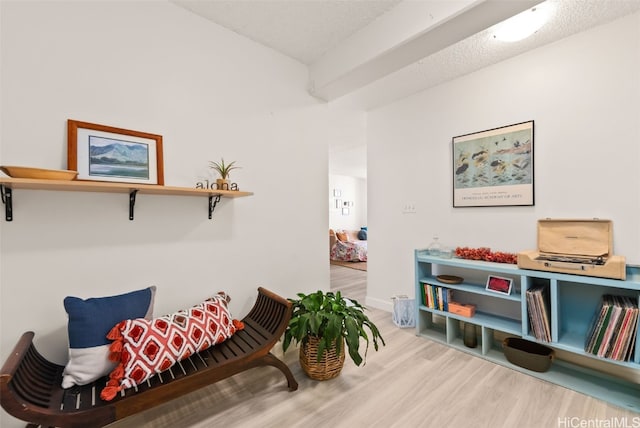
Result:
[[613, 329]]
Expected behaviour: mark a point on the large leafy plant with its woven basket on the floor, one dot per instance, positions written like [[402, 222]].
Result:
[[322, 323]]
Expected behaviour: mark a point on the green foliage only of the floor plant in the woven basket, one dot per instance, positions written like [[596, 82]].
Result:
[[330, 317]]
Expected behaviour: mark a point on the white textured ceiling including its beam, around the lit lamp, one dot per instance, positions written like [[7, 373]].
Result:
[[310, 31]]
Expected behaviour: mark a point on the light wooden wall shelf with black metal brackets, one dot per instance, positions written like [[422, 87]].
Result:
[[7, 185]]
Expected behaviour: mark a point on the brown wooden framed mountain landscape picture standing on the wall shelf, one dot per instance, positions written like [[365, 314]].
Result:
[[106, 153]]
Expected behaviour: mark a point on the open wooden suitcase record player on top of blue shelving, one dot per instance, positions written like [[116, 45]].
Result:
[[568, 245]]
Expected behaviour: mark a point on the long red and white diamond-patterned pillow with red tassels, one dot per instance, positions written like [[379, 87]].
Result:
[[144, 347]]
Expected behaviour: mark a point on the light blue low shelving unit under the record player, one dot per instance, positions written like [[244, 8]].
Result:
[[574, 300]]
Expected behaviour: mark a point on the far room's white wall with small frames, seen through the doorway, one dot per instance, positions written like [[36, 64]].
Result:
[[352, 189]]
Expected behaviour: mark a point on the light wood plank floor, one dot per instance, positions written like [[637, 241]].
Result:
[[412, 382]]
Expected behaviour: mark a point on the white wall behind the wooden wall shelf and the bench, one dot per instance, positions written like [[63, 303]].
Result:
[[154, 67]]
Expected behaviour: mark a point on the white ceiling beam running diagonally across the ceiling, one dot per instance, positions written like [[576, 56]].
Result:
[[384, 47]]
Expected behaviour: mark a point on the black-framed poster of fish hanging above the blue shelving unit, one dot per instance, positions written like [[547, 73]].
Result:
[[494, 167]]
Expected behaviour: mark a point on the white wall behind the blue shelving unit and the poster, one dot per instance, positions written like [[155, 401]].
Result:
[[584, 95]]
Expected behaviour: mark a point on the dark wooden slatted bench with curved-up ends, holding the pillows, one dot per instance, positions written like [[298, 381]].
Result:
[[30, 386]]
